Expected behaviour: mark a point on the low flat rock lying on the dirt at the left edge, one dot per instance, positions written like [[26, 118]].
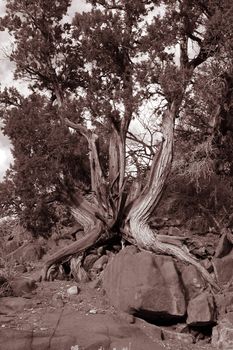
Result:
[[13, 305]]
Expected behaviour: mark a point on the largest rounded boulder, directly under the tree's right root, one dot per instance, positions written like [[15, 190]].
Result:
[[145, 284]]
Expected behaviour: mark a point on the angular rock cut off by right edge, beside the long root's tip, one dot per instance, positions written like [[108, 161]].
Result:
[[223, 269]]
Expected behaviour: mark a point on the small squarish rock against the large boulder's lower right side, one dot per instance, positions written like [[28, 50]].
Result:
[[201, 310]]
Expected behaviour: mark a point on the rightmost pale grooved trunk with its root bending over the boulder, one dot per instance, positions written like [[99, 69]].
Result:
[[142, 208]]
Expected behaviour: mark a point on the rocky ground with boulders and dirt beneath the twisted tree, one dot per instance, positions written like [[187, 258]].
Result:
[[134, 300]]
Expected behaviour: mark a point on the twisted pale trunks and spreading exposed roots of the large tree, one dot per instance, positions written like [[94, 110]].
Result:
[[113, 213]]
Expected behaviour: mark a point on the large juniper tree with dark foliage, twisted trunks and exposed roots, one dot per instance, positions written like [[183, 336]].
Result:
[[113, 62]]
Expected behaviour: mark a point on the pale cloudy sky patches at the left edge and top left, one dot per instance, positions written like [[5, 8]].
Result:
[[6, 79]]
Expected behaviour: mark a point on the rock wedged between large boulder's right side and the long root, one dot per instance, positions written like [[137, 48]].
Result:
[[193, 282]]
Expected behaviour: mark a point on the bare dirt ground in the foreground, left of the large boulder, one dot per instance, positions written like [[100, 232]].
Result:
[[50, 309]]
